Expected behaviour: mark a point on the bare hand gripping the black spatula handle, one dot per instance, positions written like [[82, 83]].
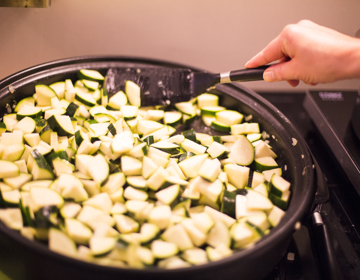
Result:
[[311, 53]]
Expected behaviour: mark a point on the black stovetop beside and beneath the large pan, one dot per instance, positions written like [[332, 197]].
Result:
[[314, 120]]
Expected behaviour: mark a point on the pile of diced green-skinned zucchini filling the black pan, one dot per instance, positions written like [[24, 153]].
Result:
[[103, 179]]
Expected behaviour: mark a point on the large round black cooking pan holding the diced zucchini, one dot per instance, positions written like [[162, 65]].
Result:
[[24, 259]]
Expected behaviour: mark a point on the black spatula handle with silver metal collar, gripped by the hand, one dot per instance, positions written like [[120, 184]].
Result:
[[244, 75]]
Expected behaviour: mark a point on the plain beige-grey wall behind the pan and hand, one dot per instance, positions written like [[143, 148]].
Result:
[[214, 35]]
